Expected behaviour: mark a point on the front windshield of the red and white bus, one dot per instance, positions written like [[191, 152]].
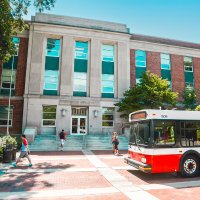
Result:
[[140, 133]]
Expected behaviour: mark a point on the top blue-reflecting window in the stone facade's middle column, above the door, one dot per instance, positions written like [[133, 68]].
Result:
[[81, 50]]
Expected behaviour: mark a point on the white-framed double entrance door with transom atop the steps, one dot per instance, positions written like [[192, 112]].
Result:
[[79, 121]]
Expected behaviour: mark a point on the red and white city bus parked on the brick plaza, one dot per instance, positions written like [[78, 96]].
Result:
[[165, 141]]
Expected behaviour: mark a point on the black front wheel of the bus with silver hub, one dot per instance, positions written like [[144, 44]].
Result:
[[190, 166]]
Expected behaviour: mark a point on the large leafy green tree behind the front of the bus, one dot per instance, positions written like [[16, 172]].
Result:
[[152, 92]]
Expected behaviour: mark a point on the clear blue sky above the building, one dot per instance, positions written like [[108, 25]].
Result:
[[173, 19]]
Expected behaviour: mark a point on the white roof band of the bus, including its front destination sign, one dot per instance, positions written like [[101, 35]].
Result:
[[164, 114]]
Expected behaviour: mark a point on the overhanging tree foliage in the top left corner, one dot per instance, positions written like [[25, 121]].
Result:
[[12, 22]]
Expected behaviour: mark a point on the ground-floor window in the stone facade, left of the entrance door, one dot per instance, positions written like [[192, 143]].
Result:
[[49, 116]]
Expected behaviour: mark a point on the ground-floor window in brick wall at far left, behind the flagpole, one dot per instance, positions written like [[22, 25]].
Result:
[[4, 115]]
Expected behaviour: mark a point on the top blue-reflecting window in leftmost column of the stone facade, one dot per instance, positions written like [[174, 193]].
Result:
[[53, 47]]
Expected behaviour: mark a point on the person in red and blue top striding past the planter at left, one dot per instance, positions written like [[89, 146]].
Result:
[[24, 152]]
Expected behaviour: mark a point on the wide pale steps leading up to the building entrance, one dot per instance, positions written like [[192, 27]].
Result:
[[77, 142]]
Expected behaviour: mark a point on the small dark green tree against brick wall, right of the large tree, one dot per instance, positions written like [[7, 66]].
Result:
[[189, 99]]
